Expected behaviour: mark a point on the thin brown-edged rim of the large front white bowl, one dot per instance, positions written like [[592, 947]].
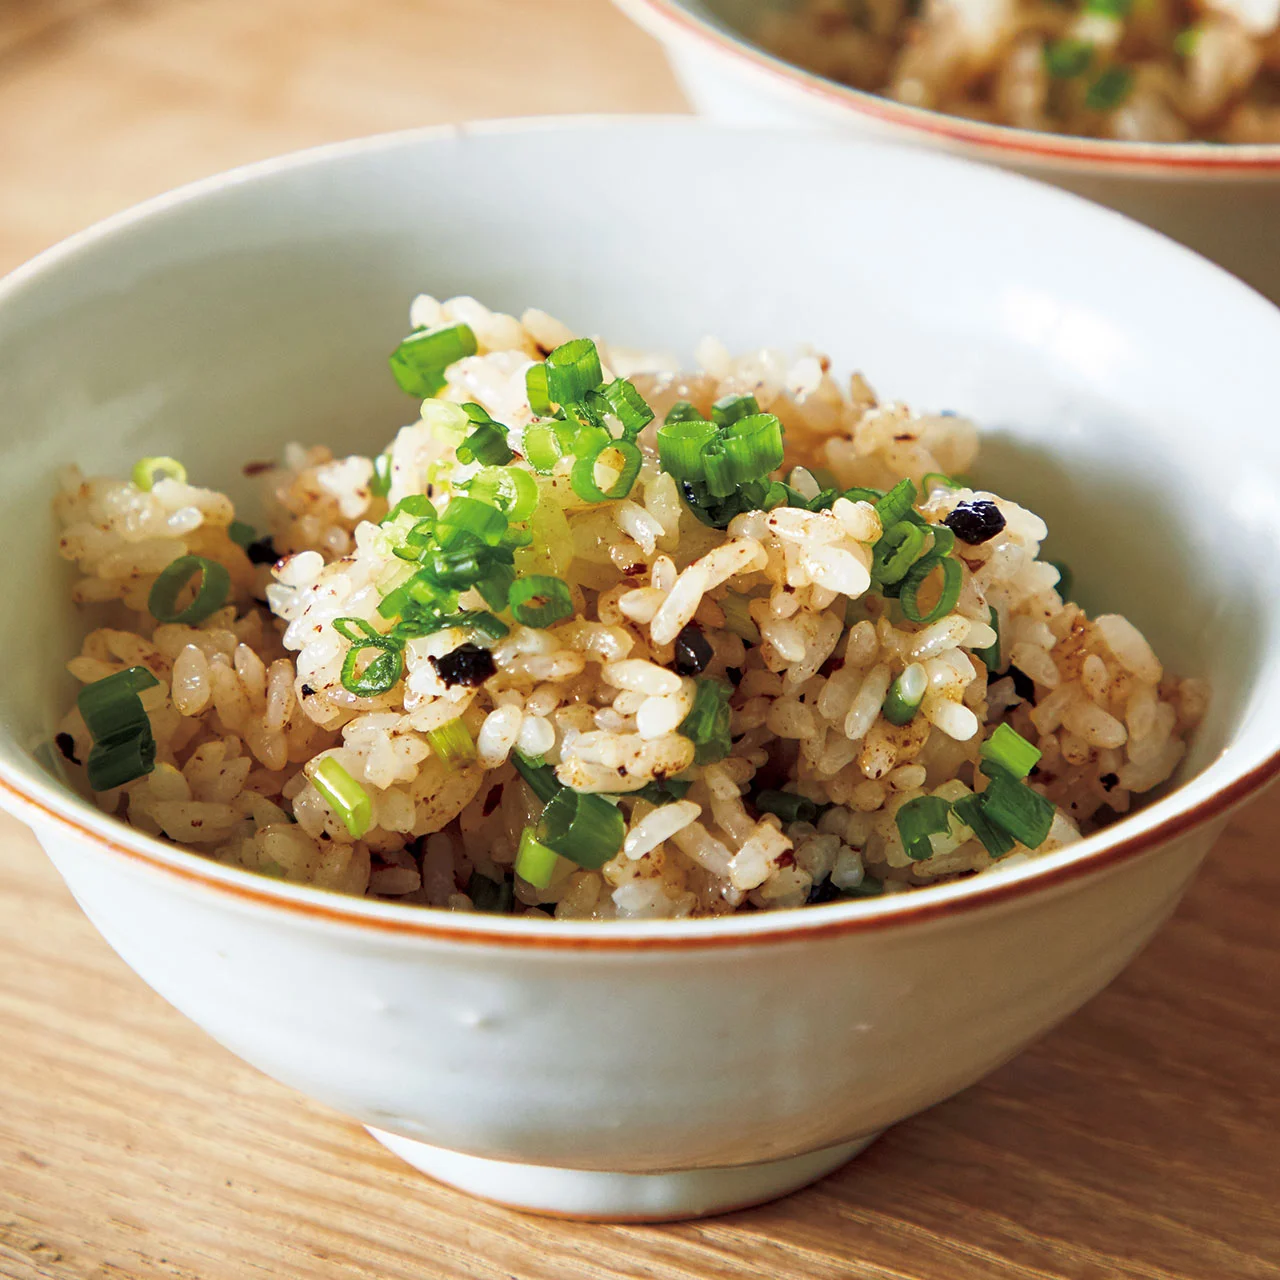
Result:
[[47, 802]]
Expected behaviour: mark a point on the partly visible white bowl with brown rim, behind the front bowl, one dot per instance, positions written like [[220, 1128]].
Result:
[[1223, 202]]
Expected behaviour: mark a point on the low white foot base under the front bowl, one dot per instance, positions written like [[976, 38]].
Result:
[[580, 1194]]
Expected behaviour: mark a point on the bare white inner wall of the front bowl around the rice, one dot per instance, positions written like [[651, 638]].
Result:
[[1127, 387]]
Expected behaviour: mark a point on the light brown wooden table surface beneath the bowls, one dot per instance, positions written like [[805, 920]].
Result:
[[1137, 1141]]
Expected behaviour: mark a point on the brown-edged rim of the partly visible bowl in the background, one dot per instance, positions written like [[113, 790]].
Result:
[[1005, 141]]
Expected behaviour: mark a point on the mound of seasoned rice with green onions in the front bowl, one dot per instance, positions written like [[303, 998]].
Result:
[[600, 689]]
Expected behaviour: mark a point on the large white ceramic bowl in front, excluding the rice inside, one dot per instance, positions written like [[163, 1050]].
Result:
[[666, 1068]]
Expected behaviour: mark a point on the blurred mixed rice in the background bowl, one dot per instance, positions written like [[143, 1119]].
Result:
[[1136, 71]]
